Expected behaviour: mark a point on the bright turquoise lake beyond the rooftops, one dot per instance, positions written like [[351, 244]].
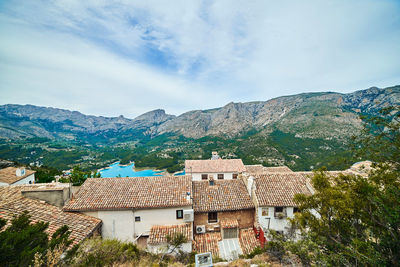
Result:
[[116, 170]]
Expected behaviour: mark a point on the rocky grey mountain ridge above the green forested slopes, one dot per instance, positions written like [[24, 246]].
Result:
[[230, 120]]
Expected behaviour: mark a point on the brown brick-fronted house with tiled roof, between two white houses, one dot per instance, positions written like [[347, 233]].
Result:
[[223, 217]]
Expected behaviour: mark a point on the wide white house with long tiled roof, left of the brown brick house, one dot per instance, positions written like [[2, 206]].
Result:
[[131, 207]]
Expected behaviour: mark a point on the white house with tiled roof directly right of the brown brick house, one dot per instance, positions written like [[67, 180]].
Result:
[[273, 195]]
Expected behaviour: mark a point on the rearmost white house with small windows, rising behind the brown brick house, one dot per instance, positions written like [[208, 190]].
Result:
[[217, 169]]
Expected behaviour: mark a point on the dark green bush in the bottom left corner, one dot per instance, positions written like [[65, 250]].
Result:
[[22, 240]]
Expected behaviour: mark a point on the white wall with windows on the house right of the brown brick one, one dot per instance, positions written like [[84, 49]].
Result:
[[274, 223]]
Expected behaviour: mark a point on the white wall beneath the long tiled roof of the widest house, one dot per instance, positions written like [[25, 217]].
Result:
[[121, 224]]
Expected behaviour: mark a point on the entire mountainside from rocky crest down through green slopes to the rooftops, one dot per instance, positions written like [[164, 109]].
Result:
[[303, 131]]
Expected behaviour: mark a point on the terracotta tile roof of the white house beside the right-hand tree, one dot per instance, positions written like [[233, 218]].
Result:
[[278, 189]]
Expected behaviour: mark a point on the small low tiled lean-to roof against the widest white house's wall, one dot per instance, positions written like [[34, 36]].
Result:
[[158, 233]]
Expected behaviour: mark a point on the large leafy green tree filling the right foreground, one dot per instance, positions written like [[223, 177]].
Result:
[[353, 220]]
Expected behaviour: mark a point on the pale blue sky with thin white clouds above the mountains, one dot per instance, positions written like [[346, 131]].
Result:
[[114, 58]]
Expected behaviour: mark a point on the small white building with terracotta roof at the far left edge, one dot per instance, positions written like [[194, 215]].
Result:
[[15, 176]]
